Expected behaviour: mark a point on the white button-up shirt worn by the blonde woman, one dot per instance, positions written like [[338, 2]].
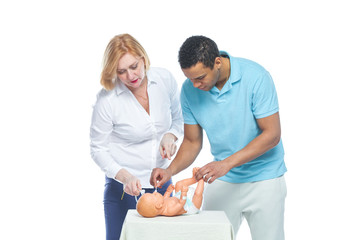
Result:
[[124, 135]]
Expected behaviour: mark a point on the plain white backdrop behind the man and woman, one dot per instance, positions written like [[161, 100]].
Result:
[[50, 63]]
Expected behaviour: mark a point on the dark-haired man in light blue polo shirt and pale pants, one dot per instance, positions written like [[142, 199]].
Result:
[[234, 100]]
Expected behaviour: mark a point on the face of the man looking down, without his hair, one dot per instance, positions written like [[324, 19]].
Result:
[[202, 77]]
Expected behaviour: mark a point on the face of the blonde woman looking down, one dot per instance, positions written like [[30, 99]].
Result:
[[131, 70]]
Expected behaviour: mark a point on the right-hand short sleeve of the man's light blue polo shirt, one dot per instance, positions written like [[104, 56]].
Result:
[[264, 97]]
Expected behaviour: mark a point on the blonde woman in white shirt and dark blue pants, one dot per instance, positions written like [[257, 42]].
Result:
[[135, 124]]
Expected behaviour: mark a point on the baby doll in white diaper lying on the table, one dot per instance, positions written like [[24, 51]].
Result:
[[155, 204]]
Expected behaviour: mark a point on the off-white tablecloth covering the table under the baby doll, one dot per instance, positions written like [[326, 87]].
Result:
[[205, 225]]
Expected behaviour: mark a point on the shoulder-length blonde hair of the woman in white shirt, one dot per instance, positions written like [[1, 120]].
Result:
[[118, 47]]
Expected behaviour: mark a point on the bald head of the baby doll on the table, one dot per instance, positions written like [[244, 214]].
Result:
[[150, 204]]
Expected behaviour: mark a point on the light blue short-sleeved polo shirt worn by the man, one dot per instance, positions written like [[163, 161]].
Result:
[[229, 118]]
